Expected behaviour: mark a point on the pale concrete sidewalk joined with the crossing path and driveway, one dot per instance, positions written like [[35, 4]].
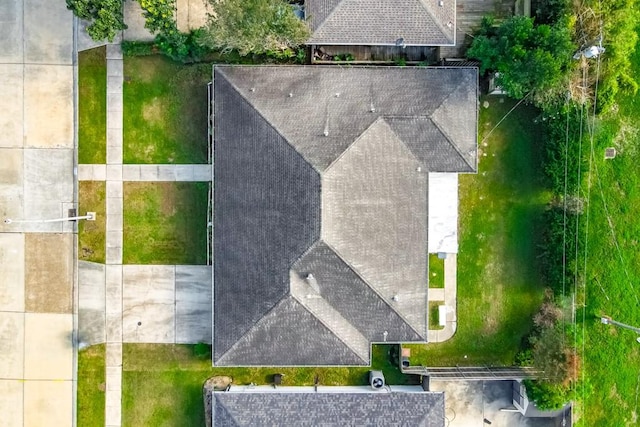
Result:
[[143, 304]]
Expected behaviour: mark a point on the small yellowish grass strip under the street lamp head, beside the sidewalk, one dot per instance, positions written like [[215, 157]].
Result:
[[92, 234]]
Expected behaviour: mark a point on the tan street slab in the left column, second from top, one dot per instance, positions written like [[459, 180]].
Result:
[[11, 102]]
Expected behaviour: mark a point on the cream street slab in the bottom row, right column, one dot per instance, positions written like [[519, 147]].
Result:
[[41, 409]]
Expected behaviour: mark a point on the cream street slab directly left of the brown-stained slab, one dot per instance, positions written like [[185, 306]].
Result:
[[11, 272]]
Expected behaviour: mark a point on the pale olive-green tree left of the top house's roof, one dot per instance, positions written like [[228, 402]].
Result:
[[253, 26]]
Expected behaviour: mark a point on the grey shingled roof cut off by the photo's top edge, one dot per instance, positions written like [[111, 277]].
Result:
[[381, 22]]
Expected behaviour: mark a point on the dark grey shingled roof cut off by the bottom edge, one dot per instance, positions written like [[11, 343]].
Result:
[[343, 408]]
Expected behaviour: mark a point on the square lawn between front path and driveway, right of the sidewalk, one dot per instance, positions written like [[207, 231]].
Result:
[[165, 222]]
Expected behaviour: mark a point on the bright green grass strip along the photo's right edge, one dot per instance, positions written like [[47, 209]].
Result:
[[611, 356]]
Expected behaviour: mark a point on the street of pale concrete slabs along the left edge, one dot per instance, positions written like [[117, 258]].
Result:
[[36, 182]]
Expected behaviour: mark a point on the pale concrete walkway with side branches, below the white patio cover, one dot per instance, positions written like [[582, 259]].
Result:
[[448, 296]]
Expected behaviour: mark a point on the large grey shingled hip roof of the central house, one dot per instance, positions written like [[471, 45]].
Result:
[[320, 196]]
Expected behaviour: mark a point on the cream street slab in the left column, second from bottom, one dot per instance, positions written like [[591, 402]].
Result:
[[11, 345]]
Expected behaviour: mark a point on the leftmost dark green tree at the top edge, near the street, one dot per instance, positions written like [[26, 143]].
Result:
[[105, 17]]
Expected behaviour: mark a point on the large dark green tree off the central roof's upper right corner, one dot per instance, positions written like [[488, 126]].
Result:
[[527, 57]]
